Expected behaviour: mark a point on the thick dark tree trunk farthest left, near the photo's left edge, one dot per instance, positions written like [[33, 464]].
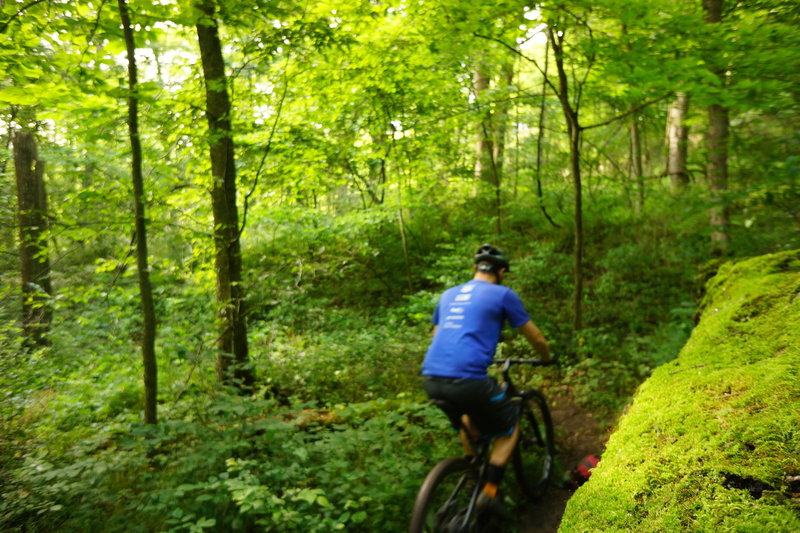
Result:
[[37, 312]]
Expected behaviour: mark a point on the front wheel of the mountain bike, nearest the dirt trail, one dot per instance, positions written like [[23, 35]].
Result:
[[533, 455]]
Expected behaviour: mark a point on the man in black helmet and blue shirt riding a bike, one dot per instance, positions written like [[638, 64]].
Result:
[[466, 330]]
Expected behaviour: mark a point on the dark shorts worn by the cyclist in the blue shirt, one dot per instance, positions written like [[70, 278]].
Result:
[[486, 404]]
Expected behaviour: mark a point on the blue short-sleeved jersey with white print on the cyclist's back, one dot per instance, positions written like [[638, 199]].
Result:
[[470, 318]]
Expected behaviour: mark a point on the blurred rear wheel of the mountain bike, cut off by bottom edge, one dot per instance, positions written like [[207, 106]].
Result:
[[444, 497]]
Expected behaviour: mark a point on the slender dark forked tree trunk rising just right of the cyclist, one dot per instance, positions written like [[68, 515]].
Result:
[[575, 132]]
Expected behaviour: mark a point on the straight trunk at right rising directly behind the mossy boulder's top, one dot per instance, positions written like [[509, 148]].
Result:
[[717, 144]]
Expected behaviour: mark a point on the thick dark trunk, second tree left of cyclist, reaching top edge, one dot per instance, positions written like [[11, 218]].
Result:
[[232, 360]]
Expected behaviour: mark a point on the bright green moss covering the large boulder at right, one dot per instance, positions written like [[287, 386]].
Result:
[[712, 437]]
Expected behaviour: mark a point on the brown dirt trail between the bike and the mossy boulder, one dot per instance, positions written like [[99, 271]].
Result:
[[578, 434]]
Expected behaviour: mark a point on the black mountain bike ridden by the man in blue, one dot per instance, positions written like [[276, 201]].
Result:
[[447, 499]]
